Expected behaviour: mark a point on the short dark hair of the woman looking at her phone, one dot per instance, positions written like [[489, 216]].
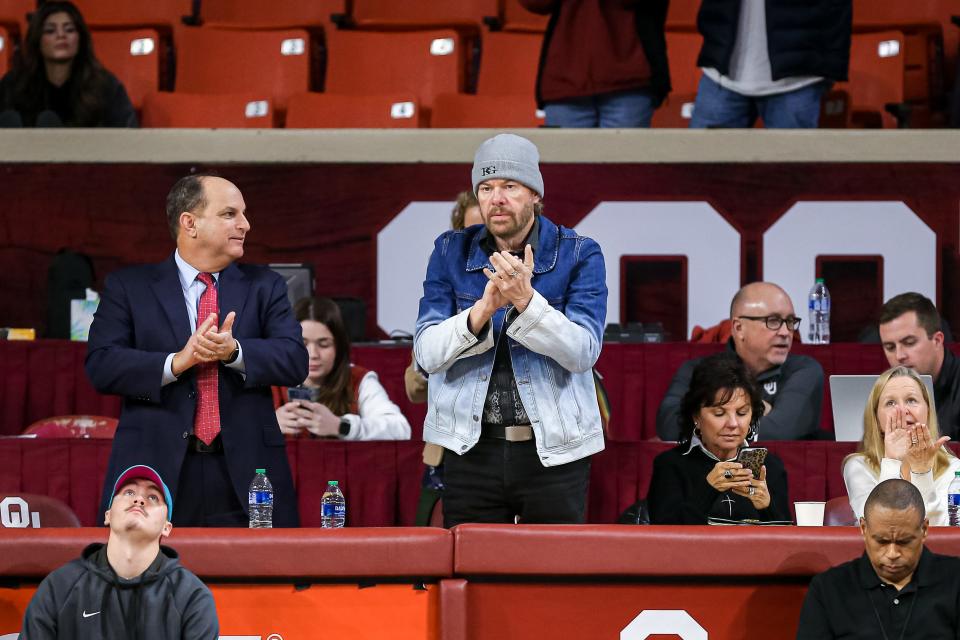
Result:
[[713, 383]]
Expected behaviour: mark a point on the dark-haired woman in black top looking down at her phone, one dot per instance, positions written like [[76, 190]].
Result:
[[701, 478]]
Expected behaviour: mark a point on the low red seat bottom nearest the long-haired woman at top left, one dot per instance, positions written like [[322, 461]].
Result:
[[203, 111]]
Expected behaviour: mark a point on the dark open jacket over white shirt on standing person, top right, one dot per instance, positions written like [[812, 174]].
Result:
[[804, 37]]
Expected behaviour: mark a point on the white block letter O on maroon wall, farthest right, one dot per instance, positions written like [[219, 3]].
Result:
[[891, 229]]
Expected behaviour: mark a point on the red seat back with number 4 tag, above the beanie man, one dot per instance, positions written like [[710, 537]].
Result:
[[422, 63]]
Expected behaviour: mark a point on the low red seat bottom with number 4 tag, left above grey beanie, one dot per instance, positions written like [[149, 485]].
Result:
[[328, 111]]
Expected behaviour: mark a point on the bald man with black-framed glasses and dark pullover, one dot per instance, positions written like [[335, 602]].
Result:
[[762, 327]]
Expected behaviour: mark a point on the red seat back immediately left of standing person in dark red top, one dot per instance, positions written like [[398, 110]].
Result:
[[508, 64]]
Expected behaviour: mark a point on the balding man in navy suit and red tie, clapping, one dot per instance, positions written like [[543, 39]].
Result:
[[193, 345]]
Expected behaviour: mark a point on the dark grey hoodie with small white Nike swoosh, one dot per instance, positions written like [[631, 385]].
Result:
[[87, 599]]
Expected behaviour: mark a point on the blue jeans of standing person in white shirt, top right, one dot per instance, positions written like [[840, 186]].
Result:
[[717, 107]]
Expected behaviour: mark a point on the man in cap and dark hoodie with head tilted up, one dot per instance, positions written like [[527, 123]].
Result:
[[130, 587]]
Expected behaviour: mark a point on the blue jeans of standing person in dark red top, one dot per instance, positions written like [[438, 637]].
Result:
[[622, 110]]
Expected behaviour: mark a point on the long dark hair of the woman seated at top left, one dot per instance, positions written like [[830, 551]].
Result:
[[88, 79]]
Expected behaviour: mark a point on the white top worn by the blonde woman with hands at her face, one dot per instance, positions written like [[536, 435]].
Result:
[[861, 479]]
